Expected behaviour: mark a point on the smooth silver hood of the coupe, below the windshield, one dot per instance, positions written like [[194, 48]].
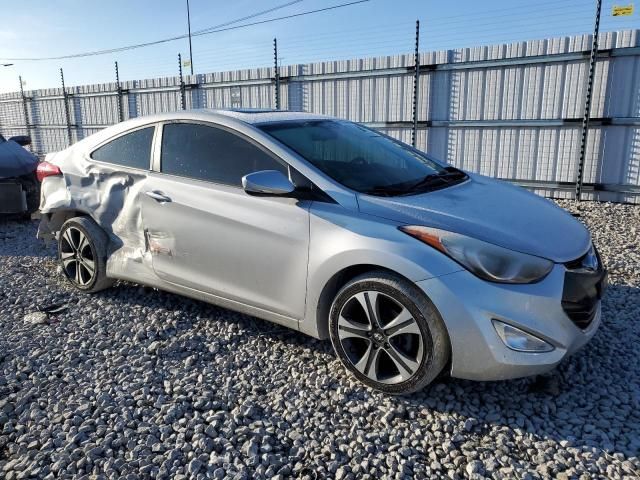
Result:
[[492, 211]]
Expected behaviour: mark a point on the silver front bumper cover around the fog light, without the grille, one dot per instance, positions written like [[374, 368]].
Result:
[[468, 304]]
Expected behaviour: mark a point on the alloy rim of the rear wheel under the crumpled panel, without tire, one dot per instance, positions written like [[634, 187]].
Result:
[[78, 257]]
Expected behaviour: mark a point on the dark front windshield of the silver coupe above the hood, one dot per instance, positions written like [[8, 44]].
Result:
[[362, 159]]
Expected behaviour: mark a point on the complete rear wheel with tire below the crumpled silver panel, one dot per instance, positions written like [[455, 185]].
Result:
[[82, 252]]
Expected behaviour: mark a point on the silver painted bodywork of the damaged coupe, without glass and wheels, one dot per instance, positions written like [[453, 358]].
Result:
[[278, 267]]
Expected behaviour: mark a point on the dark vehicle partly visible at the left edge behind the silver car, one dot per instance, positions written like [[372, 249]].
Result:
[[19, 187]]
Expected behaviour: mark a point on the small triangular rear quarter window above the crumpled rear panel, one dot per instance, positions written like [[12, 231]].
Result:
[[130, 150]]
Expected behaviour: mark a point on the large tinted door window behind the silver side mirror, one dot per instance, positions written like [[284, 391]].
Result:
[[212, 154]]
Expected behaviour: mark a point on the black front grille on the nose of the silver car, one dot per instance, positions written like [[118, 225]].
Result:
[[584, 284]]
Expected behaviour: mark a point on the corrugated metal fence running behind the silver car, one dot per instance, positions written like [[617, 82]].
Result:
[[512, 111]]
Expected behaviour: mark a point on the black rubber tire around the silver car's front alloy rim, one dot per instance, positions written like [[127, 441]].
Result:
[[416, 381]]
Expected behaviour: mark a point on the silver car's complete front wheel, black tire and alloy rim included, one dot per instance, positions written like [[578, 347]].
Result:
[[388, 334]]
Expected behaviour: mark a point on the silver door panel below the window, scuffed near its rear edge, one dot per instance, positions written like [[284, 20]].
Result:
[[215, 223]]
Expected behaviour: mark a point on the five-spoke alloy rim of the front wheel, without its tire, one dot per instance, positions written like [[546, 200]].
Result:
[[380, 337]]
